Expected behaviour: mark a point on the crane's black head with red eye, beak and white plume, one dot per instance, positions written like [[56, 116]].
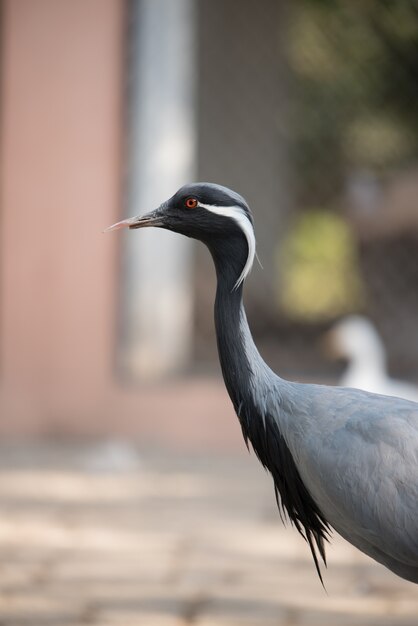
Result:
[[210, 213]]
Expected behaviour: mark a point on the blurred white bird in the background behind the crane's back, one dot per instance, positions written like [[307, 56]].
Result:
[[357, 340]]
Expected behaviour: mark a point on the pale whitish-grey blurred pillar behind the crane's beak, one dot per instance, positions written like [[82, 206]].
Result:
[[156, 328]]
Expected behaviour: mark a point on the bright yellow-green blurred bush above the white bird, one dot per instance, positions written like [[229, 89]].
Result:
[[318, 268]]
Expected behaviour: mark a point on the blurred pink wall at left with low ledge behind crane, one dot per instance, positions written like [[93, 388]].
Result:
[[60, 185]]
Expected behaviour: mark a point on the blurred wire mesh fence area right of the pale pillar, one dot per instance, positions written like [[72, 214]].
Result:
[[308, 109]]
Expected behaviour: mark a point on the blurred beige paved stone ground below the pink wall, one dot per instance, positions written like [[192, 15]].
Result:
[[107, 535]]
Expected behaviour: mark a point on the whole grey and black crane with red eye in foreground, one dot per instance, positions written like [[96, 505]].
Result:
[[340, 459]]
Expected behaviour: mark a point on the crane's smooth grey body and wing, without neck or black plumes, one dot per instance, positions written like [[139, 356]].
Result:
[[358, 471]]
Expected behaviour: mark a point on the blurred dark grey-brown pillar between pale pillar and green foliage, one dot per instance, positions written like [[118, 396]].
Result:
[[243, 104]]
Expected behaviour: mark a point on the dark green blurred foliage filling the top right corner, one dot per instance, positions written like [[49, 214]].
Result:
[[353, 68]]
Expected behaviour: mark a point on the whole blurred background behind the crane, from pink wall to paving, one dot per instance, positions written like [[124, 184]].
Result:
[[126, 497]]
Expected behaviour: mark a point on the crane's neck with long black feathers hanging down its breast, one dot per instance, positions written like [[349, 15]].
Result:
[[249, 380]]
